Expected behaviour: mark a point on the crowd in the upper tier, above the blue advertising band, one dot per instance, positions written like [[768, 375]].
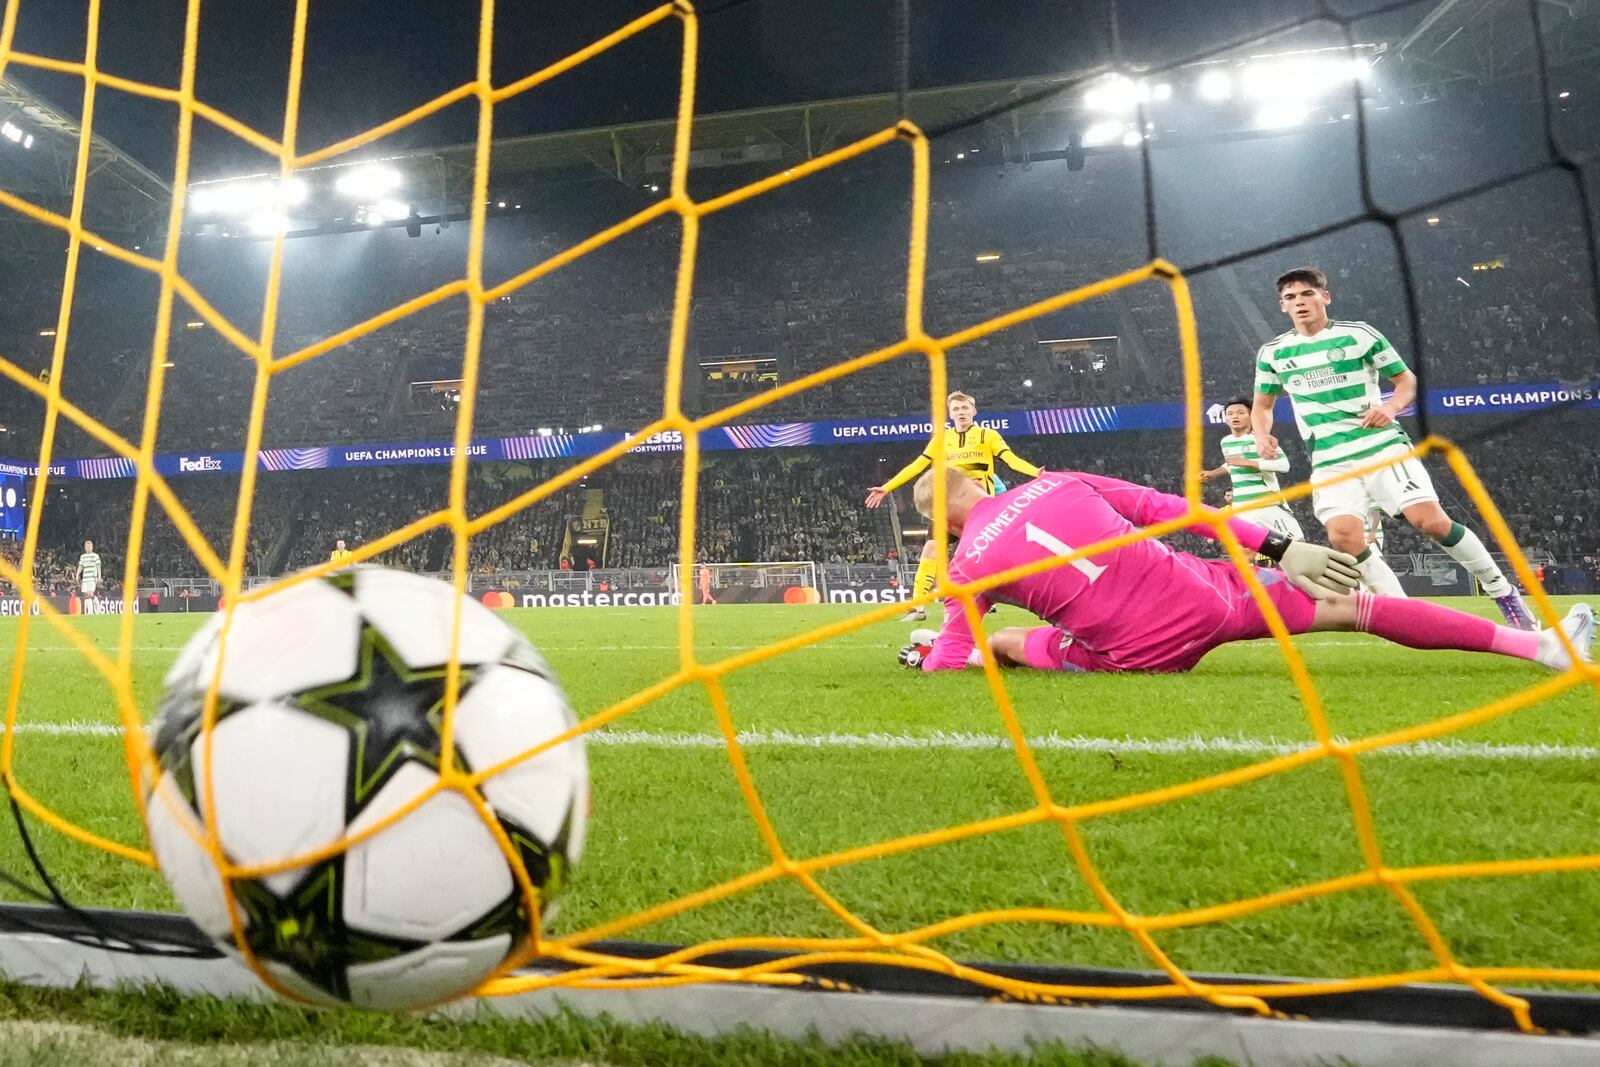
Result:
[[809, 278]]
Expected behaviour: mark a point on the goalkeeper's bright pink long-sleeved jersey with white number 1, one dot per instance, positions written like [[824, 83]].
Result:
[[1126, 605]]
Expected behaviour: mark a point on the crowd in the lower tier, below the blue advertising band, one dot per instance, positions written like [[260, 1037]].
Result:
[[753, 506]]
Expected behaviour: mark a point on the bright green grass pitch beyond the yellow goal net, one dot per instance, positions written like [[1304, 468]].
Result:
[[847, 751]]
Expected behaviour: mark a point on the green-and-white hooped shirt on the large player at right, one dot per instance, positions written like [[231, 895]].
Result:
[[1332, 380]]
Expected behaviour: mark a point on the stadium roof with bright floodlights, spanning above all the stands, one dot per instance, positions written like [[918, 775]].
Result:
[[1454, 44]]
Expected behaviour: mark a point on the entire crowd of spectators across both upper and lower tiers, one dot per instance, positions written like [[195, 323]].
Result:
[[801, 281]]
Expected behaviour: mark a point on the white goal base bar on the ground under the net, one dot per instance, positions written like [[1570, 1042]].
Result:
[[930, 1025]]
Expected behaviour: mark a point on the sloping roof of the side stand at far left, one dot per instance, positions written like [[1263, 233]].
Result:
[[122, 198]]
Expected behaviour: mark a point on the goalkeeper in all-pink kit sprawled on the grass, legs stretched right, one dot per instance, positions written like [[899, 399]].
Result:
[[1146, 607]]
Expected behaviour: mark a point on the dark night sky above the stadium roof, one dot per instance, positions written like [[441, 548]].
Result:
[[369, 62]]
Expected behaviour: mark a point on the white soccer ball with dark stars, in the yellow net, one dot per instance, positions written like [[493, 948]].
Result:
[[329, 716]]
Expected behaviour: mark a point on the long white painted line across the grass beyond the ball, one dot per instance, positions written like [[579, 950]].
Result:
[[962, 741]]
